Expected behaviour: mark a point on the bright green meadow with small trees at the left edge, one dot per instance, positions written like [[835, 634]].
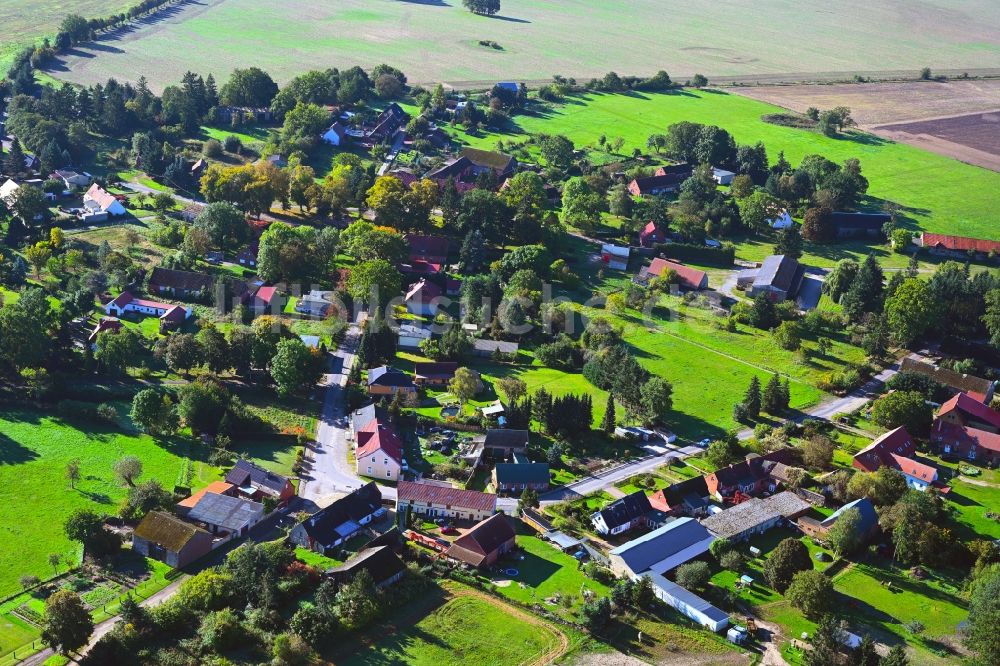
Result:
[[35, 497]]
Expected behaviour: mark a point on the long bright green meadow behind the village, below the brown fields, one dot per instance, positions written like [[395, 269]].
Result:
[[937, 193]]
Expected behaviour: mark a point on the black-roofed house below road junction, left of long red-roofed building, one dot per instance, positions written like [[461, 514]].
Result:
[[330, 527]]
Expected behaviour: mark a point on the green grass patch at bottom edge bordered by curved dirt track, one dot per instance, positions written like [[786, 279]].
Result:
[[464, 630]]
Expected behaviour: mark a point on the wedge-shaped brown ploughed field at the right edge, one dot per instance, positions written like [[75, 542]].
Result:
[[972, 138]]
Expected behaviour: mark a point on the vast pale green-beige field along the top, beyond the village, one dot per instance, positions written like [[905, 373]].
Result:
[[579, 38]]
